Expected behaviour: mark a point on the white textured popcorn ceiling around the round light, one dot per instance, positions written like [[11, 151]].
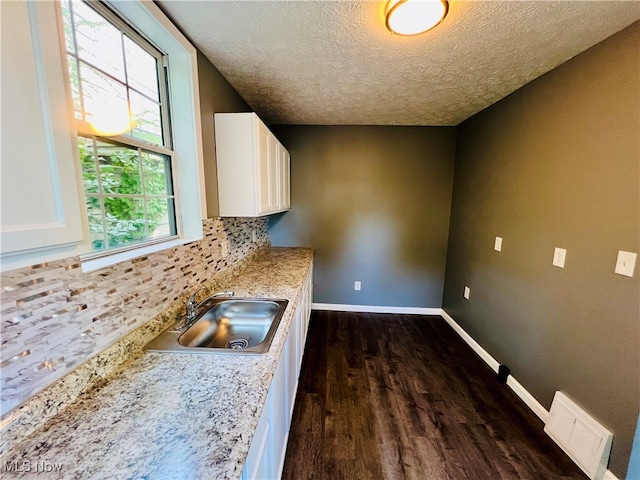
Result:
[[334, 62]]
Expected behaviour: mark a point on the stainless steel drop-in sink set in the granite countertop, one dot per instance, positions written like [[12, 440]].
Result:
[[226, 325]]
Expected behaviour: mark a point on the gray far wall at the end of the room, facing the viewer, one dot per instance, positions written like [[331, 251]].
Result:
[[374, 203]]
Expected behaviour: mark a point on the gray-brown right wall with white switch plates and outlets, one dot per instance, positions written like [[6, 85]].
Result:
[[556, 164]]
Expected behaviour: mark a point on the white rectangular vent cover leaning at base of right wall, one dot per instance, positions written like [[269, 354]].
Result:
[[581, 437]]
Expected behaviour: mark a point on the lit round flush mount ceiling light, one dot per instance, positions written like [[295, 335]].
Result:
[[413, 17]]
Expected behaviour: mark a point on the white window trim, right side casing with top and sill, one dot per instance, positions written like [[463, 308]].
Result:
[[184, 98]]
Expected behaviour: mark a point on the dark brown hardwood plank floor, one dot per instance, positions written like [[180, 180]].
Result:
[[402, 396]]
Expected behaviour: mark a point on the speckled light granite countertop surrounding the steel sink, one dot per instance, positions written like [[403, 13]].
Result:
[[166, 415]]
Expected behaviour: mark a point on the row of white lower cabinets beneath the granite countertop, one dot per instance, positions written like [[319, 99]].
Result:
[[269, 447]]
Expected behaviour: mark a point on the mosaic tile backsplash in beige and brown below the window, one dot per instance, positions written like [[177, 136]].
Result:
[[54, 317]]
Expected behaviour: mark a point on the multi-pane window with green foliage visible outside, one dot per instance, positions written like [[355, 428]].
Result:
[[120, 96]]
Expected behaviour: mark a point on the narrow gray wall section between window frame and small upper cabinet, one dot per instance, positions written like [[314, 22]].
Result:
[[216, 95]]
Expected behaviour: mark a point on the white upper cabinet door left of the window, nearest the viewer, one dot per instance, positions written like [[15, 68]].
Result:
[[42, 205]]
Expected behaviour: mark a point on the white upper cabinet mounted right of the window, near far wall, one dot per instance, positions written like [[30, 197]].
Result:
[[253, 167]]
